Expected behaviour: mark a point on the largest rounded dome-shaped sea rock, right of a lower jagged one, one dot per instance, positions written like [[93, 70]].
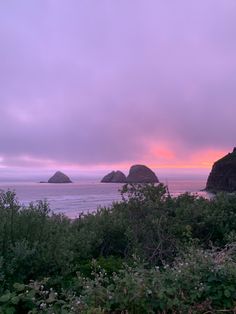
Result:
[[141, 174]]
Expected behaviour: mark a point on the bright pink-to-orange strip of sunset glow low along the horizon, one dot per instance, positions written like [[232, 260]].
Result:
[[159, 158]]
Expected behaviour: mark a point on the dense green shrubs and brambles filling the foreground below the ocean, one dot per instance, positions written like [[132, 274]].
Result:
[[150, 253]]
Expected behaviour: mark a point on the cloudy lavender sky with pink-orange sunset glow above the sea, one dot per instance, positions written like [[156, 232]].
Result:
[[92, 85]]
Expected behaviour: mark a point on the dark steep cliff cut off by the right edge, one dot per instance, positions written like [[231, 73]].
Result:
[[223, 174]]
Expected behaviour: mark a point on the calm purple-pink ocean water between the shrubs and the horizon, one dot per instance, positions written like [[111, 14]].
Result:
[[87, 195]]
